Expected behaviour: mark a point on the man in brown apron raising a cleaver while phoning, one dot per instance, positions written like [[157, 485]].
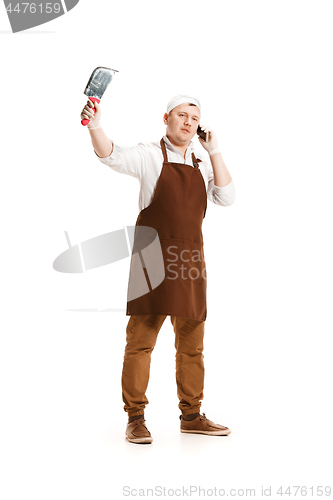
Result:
[[174, 188]]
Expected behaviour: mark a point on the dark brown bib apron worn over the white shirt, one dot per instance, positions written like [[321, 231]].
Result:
[[176, 212]]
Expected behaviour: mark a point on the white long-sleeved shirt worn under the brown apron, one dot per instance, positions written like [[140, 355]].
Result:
[[145, 161]]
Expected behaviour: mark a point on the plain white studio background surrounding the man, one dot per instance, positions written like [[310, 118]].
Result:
[[263, 72]]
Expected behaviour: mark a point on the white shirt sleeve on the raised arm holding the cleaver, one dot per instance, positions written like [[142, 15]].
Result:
[[126, 160]]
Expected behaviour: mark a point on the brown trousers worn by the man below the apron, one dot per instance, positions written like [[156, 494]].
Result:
[[141, 336]]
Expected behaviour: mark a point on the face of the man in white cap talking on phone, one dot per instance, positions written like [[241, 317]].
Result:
[[182, 123]]
